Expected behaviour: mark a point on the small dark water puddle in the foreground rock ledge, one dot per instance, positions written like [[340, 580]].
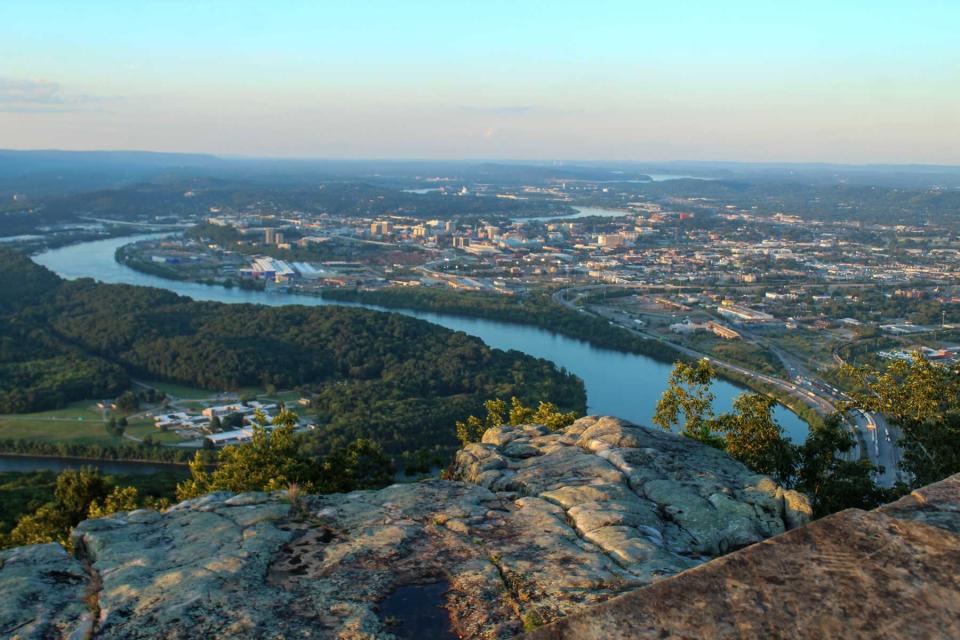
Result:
[[415, 612]]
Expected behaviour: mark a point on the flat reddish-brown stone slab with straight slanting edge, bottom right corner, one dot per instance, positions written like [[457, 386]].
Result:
[[889, 573]]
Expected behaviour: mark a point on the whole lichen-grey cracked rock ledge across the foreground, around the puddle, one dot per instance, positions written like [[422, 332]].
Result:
[[539, 525]]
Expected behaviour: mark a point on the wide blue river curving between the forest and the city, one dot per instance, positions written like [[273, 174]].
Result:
[[620, 384]]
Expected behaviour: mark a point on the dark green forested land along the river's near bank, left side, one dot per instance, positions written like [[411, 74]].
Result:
[[399, 380]]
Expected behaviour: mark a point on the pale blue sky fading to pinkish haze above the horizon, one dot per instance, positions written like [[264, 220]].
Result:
[[850, 81]]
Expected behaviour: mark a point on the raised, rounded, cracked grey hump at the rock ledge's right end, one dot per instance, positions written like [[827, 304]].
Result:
[[653, 502]]
